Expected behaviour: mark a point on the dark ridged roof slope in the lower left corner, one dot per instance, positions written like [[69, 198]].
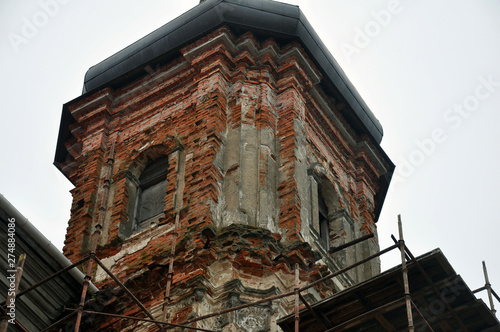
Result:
[[44, 305]]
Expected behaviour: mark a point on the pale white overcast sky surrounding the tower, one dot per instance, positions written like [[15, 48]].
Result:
[[428, 69]]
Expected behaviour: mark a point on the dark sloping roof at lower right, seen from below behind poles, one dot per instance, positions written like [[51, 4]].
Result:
[[378, 304]]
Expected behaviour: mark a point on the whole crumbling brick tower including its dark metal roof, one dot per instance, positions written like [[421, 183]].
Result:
[[230, 144]]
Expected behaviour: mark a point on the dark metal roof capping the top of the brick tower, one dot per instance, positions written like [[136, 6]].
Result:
[[274, 19]]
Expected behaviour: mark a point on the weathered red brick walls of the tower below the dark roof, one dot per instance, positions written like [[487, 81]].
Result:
[[184, 111]]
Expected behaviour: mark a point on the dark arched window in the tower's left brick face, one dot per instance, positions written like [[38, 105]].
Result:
[[150, 198]]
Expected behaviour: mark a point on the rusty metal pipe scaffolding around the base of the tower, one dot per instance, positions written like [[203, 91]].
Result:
[[406, 257]]
